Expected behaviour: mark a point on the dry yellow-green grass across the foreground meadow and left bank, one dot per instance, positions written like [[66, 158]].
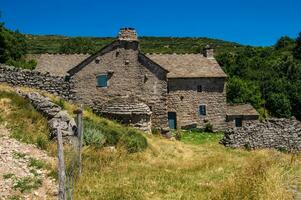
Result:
[[197, 167]]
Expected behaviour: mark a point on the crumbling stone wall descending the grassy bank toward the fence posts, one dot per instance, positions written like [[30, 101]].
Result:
[[57, 118]]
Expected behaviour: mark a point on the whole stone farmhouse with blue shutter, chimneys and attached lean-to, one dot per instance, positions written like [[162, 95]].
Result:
[[149, 90]]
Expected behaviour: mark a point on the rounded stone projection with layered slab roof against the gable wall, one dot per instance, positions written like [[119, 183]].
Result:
[[137, 115]]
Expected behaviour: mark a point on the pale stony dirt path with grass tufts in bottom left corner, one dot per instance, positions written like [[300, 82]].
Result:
[[22, 170]]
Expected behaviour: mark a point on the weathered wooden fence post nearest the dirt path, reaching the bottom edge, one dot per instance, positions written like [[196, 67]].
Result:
[[61, 167]]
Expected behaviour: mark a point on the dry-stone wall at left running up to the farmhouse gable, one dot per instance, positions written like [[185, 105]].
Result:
[[58, 85]]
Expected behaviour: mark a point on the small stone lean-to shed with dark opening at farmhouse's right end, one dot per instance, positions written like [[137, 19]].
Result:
[[237, 114]]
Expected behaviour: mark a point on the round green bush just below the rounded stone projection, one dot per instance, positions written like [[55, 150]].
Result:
[[133, 141]]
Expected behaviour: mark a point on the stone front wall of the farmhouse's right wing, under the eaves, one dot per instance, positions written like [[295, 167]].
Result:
[[184, 99]]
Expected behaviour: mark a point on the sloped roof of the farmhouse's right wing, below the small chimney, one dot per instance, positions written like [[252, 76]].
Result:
[[188, 65]]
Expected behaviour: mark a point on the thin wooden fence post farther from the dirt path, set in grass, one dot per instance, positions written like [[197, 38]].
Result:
[[80, 128]]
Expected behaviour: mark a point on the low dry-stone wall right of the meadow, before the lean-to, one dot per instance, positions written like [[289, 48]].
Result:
[[277, 133]]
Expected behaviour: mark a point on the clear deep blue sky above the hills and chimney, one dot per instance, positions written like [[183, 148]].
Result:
[[252, 22]]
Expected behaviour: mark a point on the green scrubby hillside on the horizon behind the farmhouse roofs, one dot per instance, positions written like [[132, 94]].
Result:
[[55, 44]]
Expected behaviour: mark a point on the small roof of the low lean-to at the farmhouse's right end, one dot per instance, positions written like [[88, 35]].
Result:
[[241, 109]]
